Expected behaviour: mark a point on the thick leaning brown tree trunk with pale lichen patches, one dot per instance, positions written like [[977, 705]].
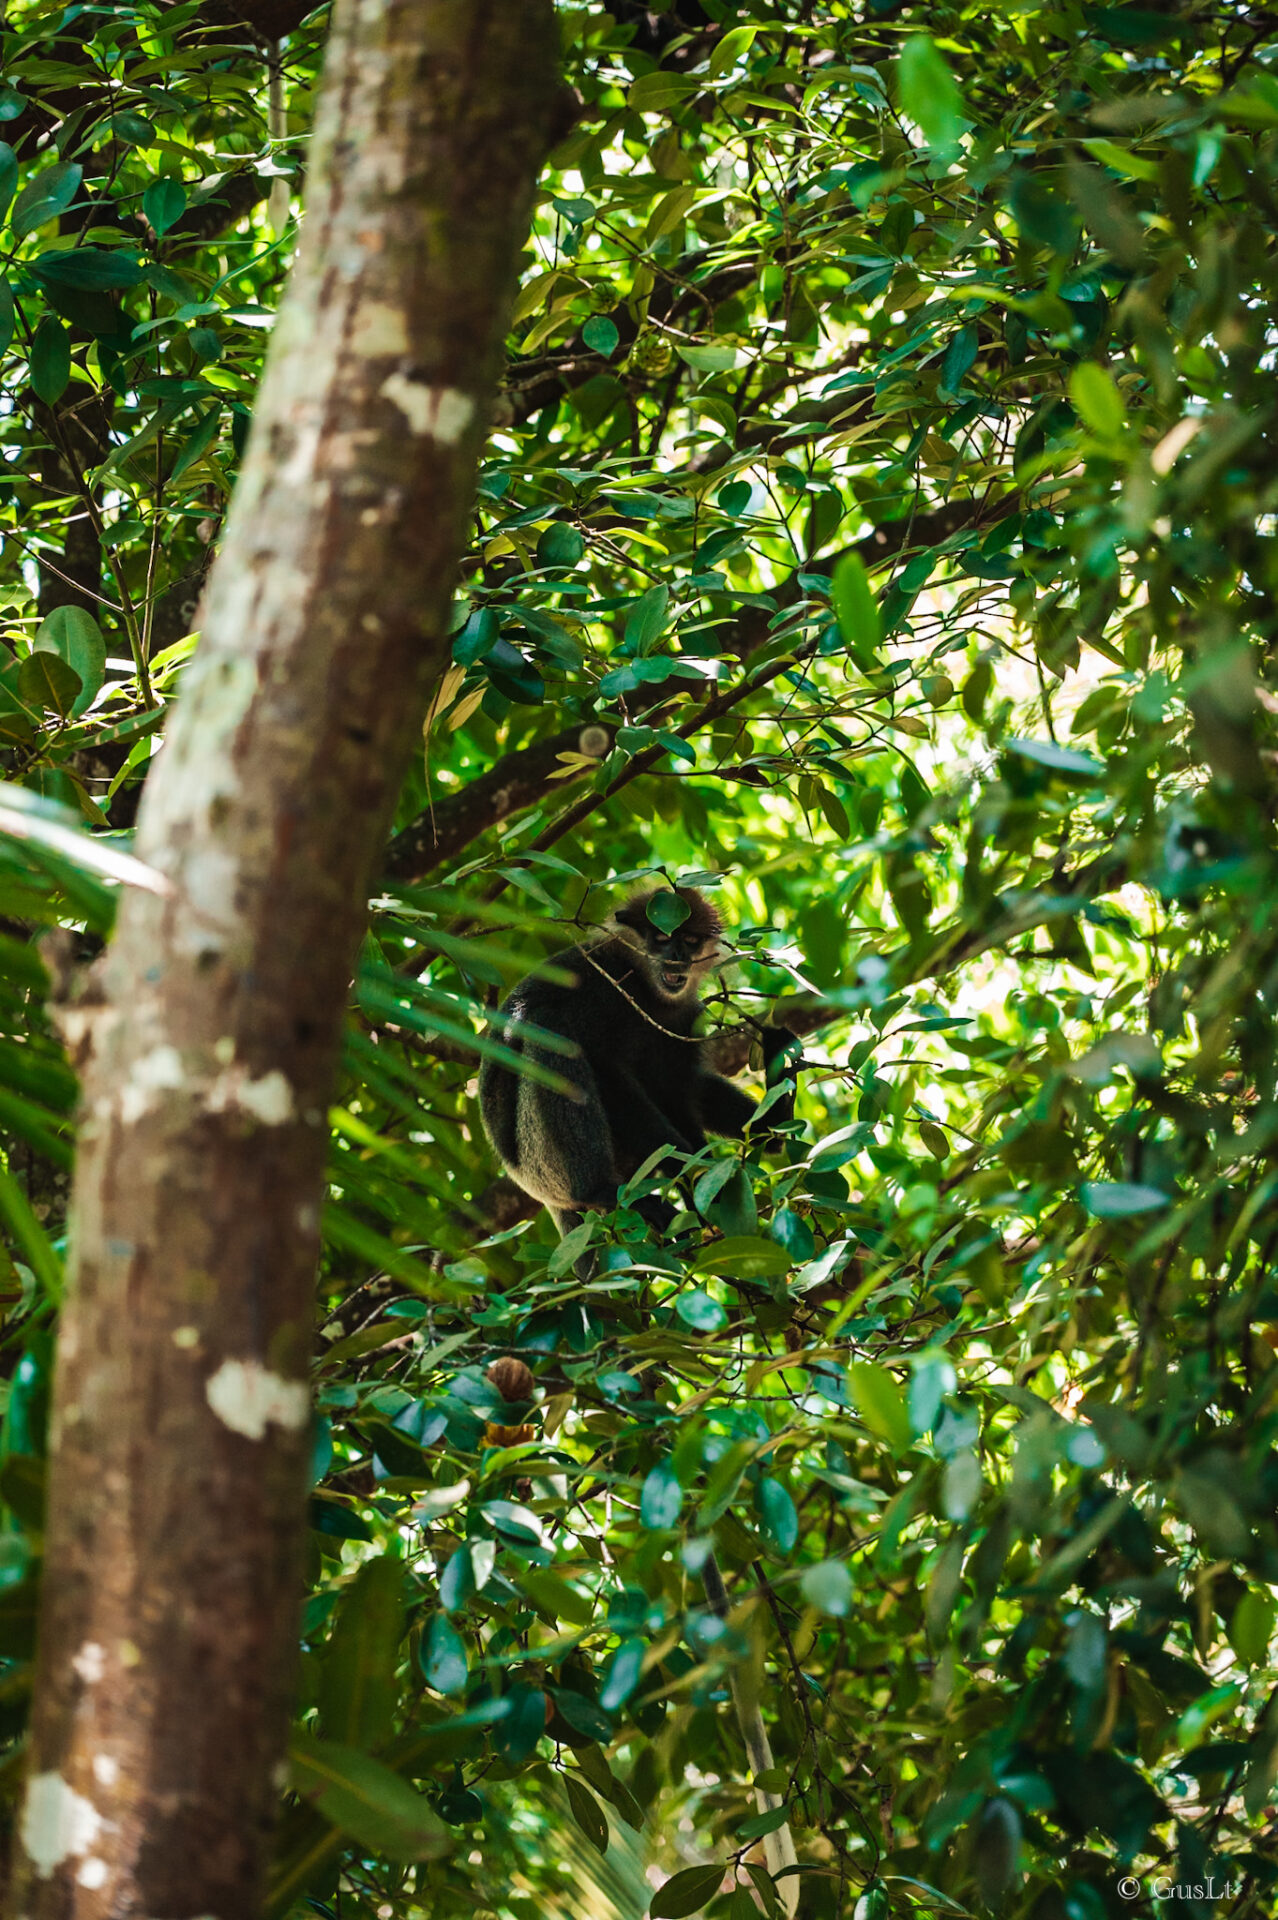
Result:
[[181, 1424]]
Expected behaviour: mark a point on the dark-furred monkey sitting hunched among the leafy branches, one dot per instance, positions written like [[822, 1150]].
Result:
[[644, 1082]]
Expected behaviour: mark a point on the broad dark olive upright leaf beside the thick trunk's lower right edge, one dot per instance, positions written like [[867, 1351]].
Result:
[[358, 1677]]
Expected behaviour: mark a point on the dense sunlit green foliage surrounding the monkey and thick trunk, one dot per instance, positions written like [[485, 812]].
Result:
[[878, 529]]
